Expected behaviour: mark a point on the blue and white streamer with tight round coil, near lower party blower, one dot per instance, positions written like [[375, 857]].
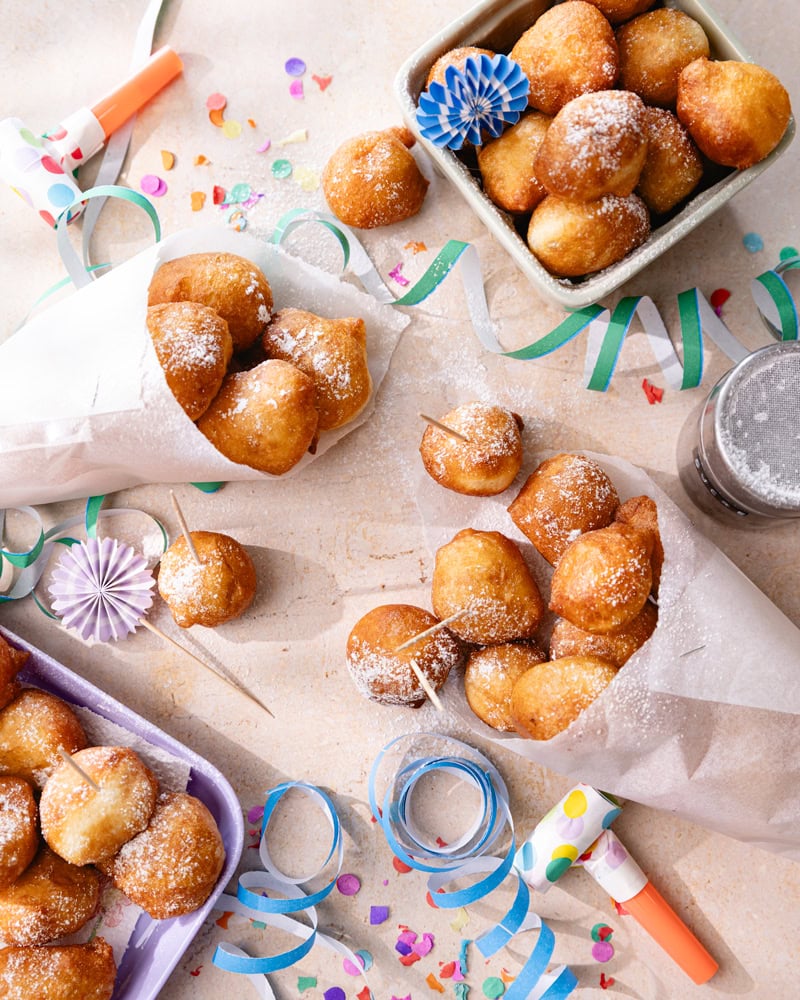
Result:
[[467, 857]]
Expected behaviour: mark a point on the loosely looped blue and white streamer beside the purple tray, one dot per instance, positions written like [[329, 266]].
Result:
[[271, 911]]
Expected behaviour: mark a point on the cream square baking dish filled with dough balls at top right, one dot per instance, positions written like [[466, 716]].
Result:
[[496, 25]]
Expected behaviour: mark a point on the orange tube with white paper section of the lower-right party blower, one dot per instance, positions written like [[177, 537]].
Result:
[[609, 863]]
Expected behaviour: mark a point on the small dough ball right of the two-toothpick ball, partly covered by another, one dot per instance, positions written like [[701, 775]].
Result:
[[490, 676]]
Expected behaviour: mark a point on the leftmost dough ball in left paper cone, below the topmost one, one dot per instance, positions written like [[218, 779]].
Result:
[[193, 346]]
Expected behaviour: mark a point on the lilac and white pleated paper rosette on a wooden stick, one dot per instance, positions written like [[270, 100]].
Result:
[[101, 588]]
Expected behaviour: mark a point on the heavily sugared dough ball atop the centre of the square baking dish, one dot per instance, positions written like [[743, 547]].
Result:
[[596, 145]]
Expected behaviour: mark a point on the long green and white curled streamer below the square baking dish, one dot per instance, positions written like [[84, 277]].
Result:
[[607, 328]]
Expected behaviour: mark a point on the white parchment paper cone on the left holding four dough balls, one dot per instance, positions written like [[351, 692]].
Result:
[[85, 408]]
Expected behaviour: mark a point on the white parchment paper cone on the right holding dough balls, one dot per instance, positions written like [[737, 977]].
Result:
[[703, 720]]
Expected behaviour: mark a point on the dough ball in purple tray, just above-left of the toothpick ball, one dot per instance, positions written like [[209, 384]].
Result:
[[33, 728]]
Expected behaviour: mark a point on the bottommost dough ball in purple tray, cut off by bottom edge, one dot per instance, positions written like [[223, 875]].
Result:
[[59, 972]]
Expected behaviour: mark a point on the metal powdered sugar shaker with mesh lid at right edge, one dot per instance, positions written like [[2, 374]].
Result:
[[753, 444]]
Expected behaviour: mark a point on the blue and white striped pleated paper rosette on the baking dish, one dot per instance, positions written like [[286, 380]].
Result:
[[489, 94]]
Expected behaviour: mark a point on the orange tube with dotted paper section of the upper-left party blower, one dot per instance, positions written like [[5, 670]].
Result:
[[85, 131]]
